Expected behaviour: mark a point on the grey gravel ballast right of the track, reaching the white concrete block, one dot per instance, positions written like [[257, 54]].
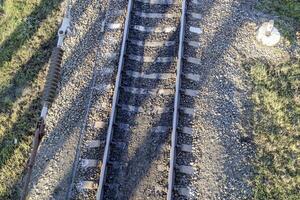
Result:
[[222, 132]]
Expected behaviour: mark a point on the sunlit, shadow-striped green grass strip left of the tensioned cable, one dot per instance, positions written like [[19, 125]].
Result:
[[27, 35]]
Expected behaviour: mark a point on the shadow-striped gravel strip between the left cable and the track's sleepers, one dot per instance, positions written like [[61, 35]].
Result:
[[66, 120]]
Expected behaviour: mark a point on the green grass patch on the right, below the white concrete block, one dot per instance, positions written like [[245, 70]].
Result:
[[276, 97]]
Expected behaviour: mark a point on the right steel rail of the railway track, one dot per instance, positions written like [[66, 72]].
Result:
[[176, 104]]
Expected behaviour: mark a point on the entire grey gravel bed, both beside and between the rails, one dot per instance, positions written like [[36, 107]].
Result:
[[222, 132]]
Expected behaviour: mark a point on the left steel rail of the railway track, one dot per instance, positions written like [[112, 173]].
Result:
[[114, 104]]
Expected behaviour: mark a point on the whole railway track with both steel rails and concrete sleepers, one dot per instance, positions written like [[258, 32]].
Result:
[[146, 144]]
